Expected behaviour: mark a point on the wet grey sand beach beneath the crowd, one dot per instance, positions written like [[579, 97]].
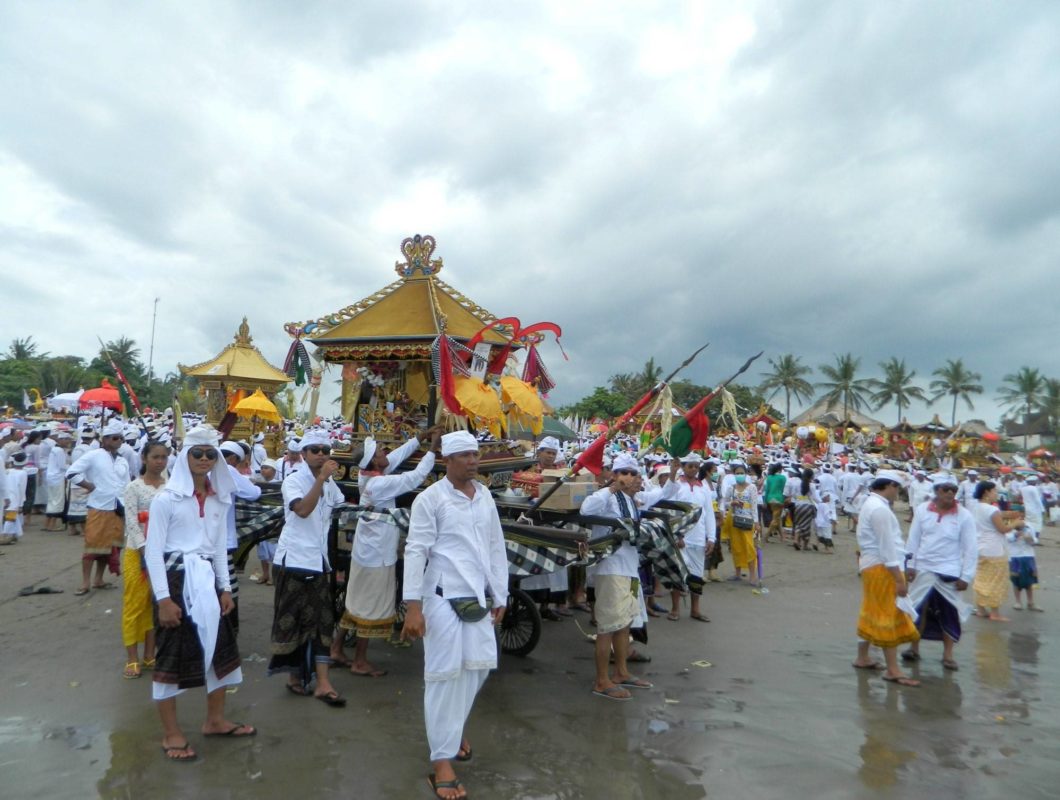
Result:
[[762, 703]]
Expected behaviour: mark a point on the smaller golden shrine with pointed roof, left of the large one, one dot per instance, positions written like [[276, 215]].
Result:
[[239, 366]]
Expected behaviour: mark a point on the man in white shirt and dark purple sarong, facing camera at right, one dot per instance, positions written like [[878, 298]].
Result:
[[943, 554]]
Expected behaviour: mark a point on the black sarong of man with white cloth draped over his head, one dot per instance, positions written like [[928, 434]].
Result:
[[180, 651]]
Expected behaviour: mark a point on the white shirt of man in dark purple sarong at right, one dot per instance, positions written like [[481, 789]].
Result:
[[947, 545]]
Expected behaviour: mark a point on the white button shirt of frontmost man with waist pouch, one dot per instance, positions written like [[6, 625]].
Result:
[[455, 543]]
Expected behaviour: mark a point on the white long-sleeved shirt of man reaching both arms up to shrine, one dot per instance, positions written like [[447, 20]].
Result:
[[376, 541]]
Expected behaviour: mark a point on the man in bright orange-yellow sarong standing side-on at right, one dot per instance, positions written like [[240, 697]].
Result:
[[881, 623]]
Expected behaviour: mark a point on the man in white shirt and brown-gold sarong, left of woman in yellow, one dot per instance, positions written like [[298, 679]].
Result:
[[104, 473]]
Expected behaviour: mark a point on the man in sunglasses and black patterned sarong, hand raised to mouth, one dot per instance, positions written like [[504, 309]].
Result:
[[304, 620]]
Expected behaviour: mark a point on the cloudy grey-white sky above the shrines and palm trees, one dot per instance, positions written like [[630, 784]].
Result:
[[809, 177]]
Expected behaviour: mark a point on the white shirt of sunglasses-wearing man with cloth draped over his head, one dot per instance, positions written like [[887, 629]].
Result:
[[182, 524]]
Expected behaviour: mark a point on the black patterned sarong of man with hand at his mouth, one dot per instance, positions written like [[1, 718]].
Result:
[[304, 621]]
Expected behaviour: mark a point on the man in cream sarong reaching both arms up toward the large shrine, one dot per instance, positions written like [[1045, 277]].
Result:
[[372, 586]]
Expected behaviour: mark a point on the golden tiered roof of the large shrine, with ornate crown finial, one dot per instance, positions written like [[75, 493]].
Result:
[[402, 319]]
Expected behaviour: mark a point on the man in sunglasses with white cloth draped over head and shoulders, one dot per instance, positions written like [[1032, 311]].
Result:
[[187, 562]]
